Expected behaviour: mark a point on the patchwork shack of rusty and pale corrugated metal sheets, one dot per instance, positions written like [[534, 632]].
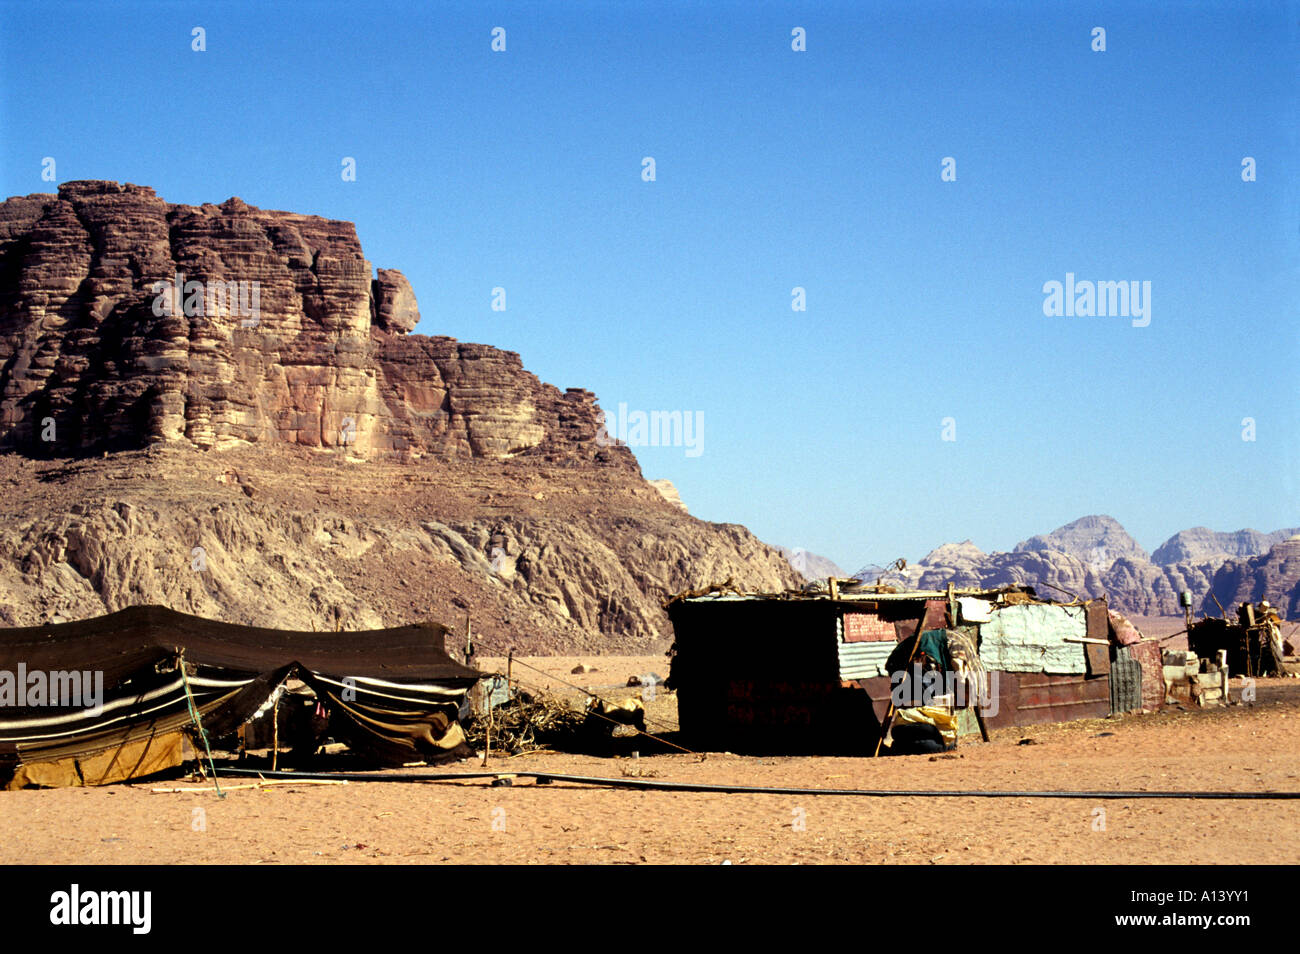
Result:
[[807, 670]]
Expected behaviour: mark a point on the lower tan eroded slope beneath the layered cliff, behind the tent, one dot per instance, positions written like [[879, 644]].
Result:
[[543, 558]]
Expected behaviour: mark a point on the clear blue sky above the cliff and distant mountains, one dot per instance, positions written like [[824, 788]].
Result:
[[775, 170]]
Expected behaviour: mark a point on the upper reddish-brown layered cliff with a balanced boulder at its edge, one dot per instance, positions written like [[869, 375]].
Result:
[[128, 322]]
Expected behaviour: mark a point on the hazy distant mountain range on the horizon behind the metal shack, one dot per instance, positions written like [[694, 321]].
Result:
[[1095, 557]]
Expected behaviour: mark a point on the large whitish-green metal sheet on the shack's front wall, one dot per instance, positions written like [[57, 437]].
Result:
[[1032, 638]]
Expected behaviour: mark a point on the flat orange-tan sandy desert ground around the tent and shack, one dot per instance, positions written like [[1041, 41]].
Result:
[[1243, 749]]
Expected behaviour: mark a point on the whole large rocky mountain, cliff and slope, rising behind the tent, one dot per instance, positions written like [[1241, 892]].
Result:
[[223, 410]]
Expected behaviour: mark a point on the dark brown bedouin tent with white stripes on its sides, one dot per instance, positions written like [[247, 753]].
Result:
[[393, 695]]
